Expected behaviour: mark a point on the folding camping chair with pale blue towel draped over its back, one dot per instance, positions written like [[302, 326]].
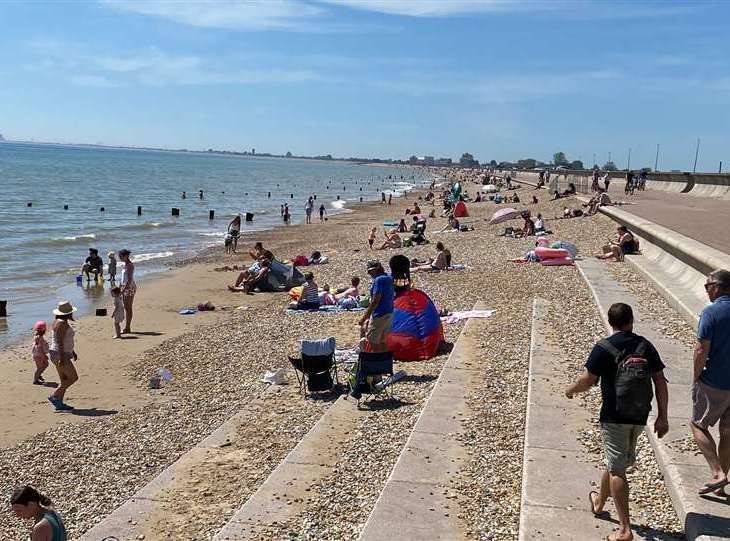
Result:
[[315, 369]]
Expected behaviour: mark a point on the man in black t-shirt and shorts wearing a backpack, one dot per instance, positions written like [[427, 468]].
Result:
[[627, 366]]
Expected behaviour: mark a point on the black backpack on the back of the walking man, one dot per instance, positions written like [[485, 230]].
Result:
[[634, 390]]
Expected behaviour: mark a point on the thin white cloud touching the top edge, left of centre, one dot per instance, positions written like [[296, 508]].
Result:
[[226, 14]]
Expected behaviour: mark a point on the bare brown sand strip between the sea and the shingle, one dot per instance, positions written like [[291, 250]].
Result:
[[183, 283]]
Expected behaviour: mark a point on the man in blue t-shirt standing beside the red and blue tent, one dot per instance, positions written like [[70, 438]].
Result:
[[376, 321]]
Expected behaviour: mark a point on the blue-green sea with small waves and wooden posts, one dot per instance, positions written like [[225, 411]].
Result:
[[60, 200]]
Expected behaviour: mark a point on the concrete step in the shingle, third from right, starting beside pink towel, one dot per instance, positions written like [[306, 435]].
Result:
[[415, 503]]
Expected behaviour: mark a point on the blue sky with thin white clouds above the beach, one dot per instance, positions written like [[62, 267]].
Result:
[[389, 78]]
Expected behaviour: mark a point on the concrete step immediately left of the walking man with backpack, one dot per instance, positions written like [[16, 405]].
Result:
[[551, 500]]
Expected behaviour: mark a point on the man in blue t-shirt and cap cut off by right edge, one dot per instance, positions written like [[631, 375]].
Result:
[[711, 389]]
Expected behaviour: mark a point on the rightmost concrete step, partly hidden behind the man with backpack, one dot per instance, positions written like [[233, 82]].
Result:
[[683, 472]]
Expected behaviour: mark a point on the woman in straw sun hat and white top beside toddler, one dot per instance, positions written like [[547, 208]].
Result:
[[62, 353]]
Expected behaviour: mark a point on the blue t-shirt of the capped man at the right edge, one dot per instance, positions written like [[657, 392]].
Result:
[[715, 327]]
